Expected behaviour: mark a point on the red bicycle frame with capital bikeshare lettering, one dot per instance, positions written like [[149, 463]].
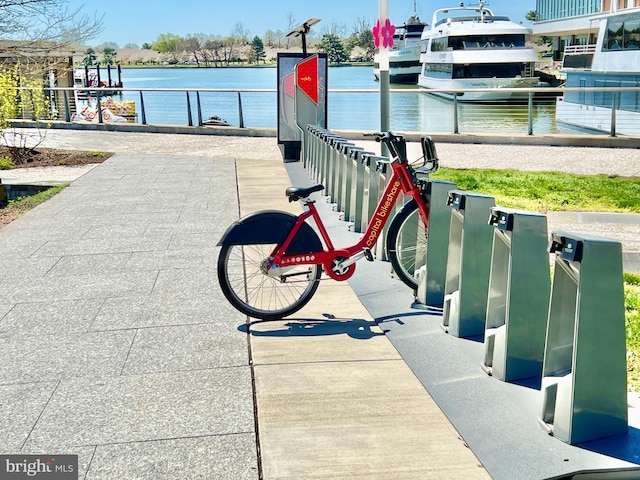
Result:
[[338, 263]]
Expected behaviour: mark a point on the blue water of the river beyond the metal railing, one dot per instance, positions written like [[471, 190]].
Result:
[[412, 111]]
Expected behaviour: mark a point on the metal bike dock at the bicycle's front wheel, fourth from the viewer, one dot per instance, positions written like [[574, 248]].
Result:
[[431, 266]]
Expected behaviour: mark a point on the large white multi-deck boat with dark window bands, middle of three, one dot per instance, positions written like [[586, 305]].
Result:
[[470, 47]]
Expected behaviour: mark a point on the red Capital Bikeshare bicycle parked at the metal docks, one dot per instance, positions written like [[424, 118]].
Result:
[[271, 261]]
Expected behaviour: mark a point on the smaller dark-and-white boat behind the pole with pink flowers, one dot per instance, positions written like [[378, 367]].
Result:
[[404, 57]]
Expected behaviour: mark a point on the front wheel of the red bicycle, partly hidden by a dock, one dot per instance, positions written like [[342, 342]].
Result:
[[406, 243]]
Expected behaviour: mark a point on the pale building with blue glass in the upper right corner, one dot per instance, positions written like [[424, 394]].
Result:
[[573, 22]]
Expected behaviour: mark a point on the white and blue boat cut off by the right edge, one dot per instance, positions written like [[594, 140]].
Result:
[[613, 62]]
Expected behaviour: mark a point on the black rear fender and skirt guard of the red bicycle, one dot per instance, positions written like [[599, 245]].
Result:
[[272, 226]]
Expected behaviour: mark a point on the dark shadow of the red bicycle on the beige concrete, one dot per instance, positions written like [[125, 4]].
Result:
[[356, 328]]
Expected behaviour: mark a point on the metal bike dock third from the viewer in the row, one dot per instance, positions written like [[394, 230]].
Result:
[[468, 264]]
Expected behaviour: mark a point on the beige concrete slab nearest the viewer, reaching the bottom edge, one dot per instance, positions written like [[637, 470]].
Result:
[[352, 420]]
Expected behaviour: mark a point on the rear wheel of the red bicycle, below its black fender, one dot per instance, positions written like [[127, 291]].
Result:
[[244, 281]]
